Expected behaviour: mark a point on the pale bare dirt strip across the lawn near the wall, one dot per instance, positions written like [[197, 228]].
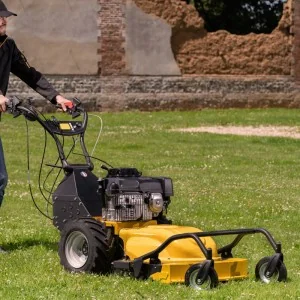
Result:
[[276, 131]]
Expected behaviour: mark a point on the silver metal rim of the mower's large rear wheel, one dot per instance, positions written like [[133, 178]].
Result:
[[77, 249]]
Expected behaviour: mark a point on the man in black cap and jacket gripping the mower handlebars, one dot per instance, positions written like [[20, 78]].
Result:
[[12, 60]]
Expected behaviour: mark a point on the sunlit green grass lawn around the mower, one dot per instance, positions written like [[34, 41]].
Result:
[[220, 182]]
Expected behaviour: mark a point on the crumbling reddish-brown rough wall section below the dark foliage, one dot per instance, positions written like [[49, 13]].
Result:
[[199, 52]]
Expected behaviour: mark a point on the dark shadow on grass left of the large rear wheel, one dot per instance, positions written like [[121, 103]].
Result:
[[28, 243]]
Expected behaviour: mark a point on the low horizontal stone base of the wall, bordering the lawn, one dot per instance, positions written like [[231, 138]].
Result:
[[152, 93]]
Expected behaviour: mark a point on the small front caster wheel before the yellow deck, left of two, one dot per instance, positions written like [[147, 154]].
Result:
[[192, 281]]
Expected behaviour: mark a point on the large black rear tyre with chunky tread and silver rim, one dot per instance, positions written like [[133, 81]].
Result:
[[83, 247]]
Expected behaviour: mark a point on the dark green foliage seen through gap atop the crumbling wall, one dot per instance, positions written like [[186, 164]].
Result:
[[240, 16]]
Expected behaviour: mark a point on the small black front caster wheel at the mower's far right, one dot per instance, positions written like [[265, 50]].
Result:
[[280, 273]]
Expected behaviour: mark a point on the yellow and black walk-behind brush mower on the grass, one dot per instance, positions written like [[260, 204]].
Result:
[[118, 223]]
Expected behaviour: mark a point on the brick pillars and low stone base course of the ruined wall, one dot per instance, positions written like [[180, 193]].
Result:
[[114, 90]]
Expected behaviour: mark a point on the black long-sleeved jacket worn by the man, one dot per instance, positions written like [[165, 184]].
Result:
[[13, 60]]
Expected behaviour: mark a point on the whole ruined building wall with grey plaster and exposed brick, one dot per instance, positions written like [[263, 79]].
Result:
[[156, 54]]
